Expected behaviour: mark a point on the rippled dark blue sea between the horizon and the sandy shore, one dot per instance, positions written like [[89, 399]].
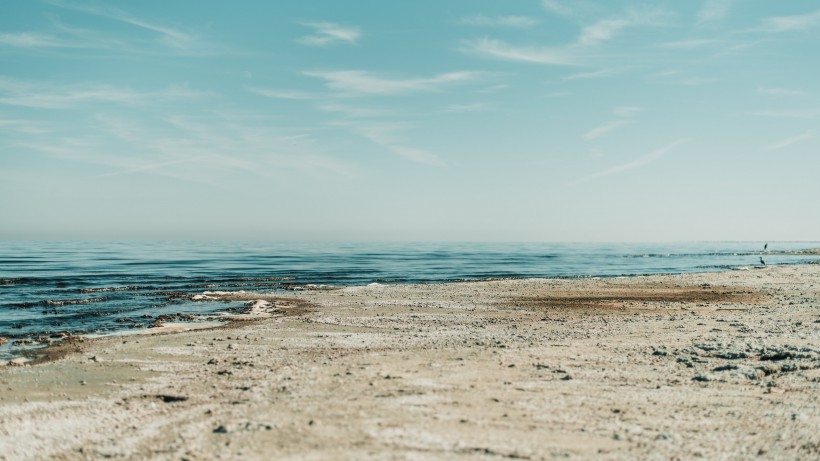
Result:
[[48, 288]]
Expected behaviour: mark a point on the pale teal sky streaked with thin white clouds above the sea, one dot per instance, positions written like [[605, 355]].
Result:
[[452, 120]]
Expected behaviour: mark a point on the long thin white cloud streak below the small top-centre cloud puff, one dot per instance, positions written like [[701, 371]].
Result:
[[366, 83]]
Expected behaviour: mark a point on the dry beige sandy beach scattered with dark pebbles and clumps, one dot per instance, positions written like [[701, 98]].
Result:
[[713, 366]]
